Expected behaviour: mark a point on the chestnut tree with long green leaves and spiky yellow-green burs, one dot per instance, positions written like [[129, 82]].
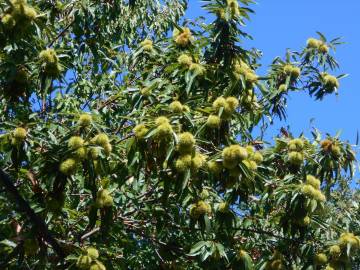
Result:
[[132, 138]]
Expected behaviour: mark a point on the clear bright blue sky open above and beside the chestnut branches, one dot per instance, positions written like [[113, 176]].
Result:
[[281, 24]]
